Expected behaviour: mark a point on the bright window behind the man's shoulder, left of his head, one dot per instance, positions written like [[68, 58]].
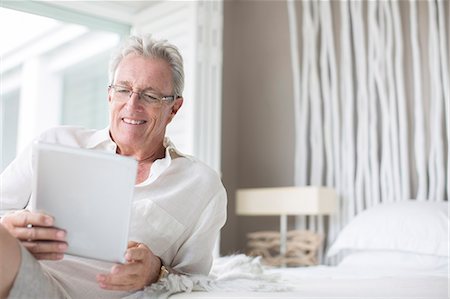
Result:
[[54, 74]]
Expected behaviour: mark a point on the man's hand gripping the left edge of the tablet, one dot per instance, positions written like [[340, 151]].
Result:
[[36, 232]]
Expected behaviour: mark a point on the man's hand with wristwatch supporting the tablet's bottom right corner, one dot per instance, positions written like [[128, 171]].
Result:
[[141, 269]]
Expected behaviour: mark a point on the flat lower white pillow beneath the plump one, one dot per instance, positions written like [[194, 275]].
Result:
[[395, 259]]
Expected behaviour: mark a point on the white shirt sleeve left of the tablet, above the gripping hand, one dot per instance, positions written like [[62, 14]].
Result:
[[15, 182]]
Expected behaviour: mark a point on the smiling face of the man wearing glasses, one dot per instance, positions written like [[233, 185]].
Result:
[[135, 124]]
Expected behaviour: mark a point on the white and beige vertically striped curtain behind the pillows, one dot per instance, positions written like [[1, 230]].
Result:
[[371, 94]]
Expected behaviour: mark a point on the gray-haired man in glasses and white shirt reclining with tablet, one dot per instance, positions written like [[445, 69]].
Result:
[[179, 203]]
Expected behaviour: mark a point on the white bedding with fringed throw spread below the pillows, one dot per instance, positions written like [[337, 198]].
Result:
[[244, 277]]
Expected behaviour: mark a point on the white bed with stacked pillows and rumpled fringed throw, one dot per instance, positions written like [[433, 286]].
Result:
[[392, 250]]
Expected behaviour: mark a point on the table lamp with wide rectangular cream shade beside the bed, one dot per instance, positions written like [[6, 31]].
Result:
[[284, 201]]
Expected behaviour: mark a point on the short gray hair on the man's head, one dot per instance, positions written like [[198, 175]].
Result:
[[147, 46]]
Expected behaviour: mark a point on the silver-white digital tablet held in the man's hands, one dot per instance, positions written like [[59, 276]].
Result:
[[89, 193]]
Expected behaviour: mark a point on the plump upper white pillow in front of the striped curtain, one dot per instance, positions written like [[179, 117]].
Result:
[[408, 226]]
